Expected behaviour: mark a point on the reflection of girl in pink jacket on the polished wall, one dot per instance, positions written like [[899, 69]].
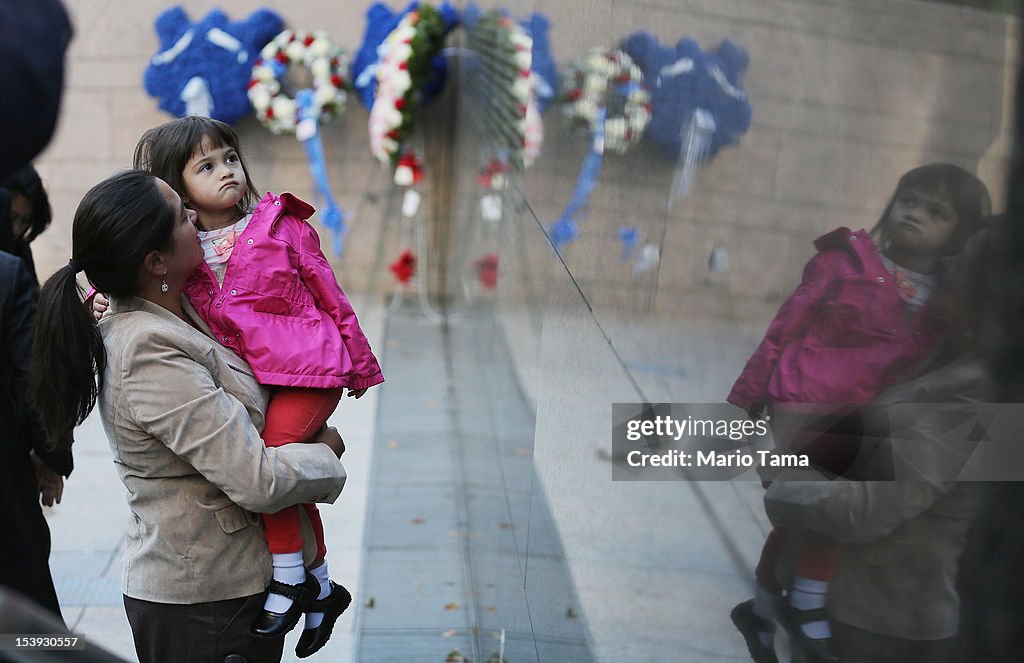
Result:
[[859, 321]]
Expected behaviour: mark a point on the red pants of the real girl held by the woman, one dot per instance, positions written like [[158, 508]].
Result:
[[296, 416]]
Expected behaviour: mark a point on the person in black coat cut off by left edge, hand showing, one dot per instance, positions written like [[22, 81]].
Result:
[[30, 469]]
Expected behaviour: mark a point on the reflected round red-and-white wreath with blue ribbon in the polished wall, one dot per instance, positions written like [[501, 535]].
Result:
[[607, 95]]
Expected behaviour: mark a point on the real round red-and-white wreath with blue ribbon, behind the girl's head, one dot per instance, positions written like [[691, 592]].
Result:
[[284, 110]]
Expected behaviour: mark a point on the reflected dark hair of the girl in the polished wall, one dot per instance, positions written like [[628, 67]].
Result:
[[967, 194]]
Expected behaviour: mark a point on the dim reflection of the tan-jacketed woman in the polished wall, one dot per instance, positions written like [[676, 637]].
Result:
[[894, 597]]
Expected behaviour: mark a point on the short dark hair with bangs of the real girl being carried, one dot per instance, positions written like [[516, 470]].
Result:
[[165, 150]]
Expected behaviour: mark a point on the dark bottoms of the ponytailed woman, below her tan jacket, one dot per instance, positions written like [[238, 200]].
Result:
[[200, 633]]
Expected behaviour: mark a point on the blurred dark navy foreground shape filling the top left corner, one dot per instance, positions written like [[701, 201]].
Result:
[[34, 35]]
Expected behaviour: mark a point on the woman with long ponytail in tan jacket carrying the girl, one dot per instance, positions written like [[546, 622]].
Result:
[[182, 415]]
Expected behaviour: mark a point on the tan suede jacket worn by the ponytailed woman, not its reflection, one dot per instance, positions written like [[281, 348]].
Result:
[[183, 417]]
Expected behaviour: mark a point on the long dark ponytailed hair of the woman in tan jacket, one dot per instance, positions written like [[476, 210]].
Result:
[[117, 225]]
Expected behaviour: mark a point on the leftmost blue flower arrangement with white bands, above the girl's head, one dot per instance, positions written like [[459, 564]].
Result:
[[203, 68]]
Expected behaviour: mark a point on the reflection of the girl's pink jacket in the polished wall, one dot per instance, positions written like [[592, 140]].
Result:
[[841, 337]]
